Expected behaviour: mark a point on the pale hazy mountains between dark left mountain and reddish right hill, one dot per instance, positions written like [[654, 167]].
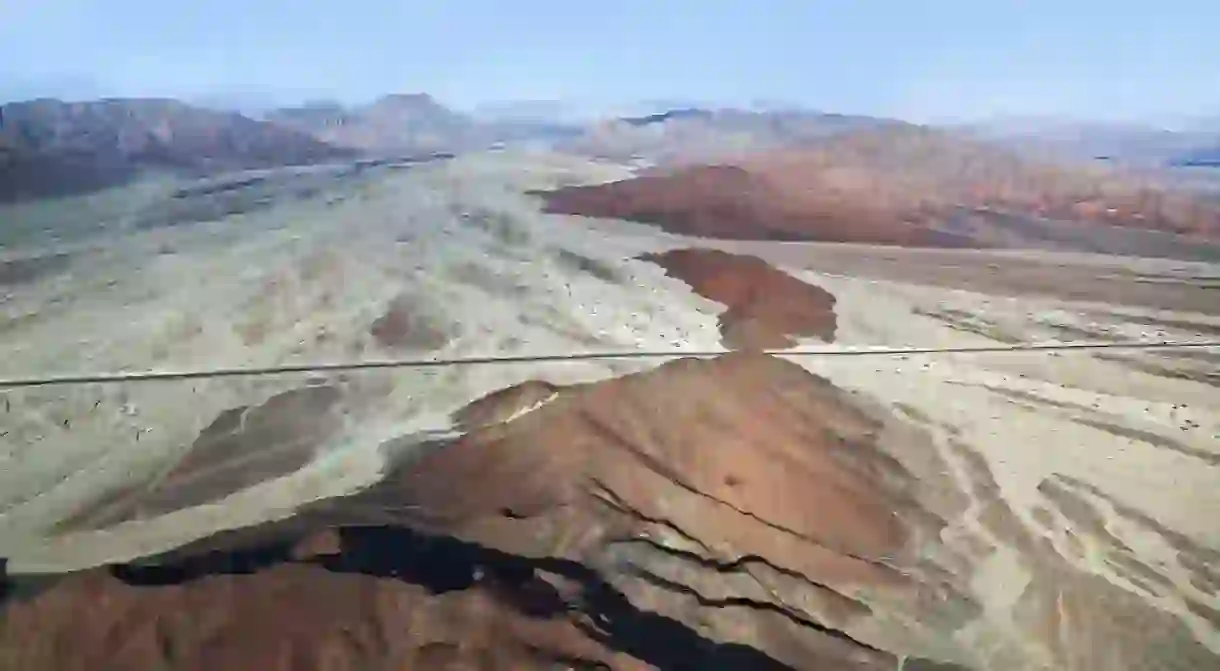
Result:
[[419, 124]]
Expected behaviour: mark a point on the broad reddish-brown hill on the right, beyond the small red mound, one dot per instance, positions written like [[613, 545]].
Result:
[[859, 187]]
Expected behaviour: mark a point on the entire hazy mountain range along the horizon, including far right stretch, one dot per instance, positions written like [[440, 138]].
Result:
[[51, 147]]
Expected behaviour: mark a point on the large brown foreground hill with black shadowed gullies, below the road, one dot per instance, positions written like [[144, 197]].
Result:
[[734, 513]]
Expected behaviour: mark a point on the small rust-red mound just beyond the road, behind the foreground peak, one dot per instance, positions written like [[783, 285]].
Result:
[[766, 307]]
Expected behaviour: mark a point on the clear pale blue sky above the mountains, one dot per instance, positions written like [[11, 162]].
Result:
[[930, 60]]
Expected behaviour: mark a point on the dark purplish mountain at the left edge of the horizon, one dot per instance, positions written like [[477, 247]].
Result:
[[49, 147]]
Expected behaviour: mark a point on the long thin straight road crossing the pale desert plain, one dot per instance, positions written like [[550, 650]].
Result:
[[146, 376]]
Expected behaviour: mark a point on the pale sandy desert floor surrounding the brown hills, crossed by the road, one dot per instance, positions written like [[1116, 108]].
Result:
[[1108, 459]]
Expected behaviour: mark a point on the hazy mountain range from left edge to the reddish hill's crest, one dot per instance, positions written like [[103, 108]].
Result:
[[52, 147]]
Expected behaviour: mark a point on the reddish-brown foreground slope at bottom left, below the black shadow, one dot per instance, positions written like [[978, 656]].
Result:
[[313, 613]]
